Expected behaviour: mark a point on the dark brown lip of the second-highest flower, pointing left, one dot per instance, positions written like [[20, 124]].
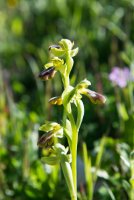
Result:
[[47, 73]]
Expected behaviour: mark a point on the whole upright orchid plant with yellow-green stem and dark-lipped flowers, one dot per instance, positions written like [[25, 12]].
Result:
[[62, 61]]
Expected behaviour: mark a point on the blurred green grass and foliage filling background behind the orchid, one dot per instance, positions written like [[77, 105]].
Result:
[[104, 32]]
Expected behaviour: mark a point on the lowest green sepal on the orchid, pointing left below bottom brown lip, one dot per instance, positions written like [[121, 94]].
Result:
[[52, 160]]
